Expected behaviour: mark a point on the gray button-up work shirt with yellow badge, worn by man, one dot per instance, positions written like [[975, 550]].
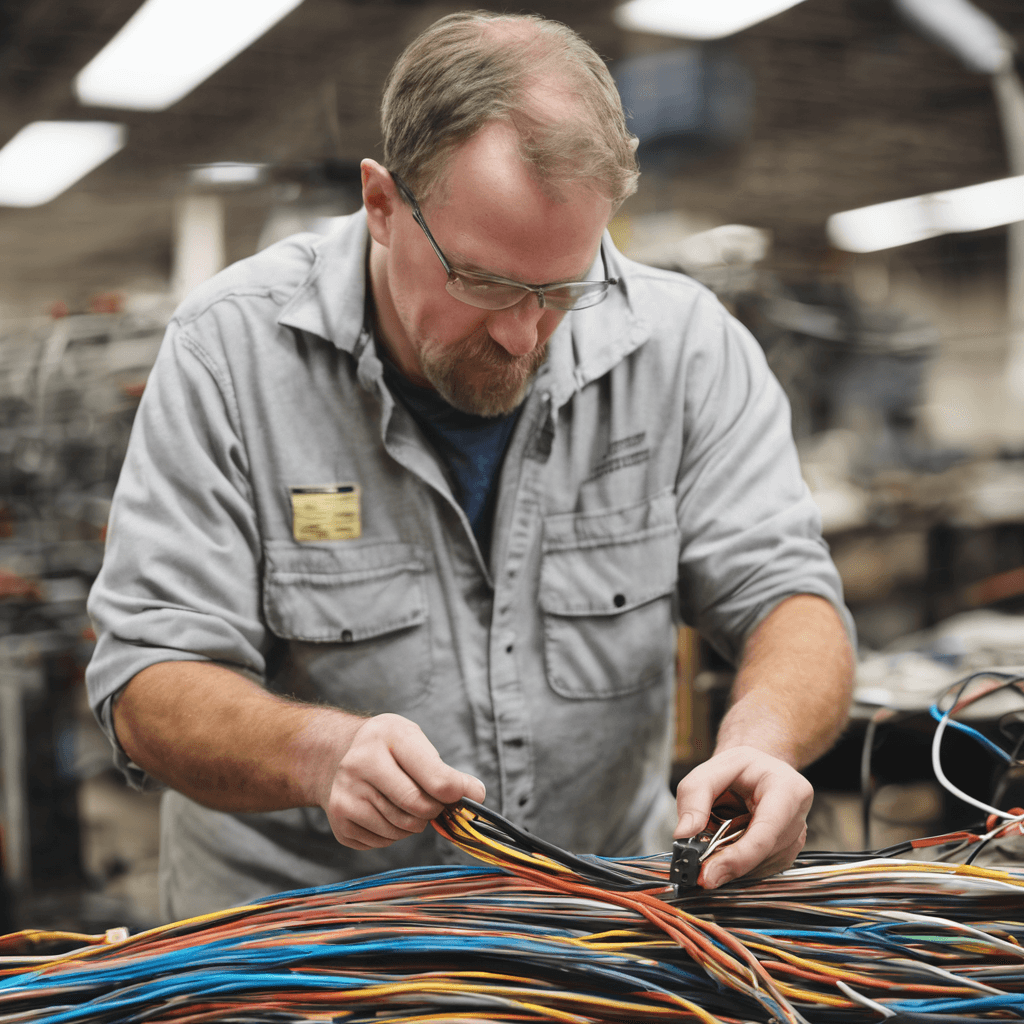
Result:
[[652, 479]]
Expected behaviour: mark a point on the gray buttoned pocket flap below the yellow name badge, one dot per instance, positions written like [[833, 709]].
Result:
[[334, 595]]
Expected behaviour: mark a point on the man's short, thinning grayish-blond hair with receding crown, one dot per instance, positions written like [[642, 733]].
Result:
[[473, 68]]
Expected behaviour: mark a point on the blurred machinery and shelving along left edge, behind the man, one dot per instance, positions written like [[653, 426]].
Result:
[[69, 389]]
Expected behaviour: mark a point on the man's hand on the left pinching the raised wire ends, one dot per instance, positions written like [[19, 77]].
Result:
[[392, 784]]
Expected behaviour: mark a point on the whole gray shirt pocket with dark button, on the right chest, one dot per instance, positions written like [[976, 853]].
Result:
[[608, 595]]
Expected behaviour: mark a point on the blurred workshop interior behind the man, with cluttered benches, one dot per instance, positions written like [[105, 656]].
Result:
[[905, 363]]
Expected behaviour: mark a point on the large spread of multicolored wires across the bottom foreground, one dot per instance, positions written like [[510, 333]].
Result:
[[538, 934]]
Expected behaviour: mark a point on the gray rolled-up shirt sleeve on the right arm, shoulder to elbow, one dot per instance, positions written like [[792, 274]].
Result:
[[751, 531]]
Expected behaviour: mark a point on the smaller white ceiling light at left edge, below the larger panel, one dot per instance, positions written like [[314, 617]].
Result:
[[47, 158]]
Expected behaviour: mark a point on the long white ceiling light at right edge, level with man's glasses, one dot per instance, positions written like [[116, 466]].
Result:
[[907, 221]]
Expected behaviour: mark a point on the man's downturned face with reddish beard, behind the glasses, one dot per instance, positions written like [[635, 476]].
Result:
[[493, 218]]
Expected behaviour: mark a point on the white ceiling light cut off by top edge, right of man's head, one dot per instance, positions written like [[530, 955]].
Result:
[[697, 19]]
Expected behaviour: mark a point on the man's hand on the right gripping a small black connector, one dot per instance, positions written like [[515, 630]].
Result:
[[776, 794]]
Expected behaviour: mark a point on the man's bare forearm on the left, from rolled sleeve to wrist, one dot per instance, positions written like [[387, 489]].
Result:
[[227, 743]]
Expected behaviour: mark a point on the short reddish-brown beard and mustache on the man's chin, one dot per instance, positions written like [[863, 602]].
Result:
[[479, 376]]
